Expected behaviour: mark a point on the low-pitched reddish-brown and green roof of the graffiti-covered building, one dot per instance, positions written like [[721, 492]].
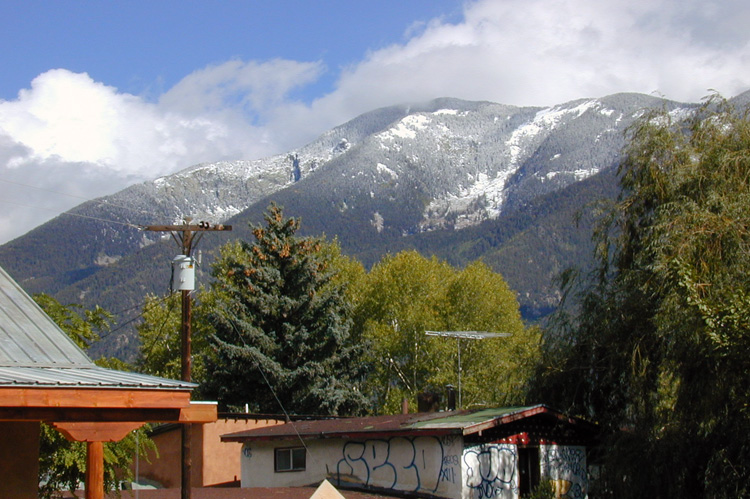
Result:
[[464, 422]]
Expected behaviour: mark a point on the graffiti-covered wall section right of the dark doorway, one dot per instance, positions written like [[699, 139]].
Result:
[[566, 467]]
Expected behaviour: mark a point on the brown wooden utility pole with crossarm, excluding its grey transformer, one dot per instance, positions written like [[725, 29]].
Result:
[[187, 237]]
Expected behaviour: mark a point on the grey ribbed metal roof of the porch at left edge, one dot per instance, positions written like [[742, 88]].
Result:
[[35, 352]]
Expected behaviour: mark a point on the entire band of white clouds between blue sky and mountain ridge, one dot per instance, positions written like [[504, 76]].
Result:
[[69, 132]]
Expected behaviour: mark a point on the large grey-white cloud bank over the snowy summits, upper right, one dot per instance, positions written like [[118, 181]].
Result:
[[537, 52]]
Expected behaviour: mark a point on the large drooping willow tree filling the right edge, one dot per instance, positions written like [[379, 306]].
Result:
[[661, 343]]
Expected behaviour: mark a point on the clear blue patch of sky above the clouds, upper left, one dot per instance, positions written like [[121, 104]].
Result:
[[145, 47]]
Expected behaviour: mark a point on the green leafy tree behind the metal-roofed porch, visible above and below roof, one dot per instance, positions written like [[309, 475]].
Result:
[[62, 463]]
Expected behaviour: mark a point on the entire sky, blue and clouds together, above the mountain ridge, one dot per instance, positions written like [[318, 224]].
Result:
[[97, 95]]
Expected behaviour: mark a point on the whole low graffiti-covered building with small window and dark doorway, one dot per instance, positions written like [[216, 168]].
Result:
[[501, 453]]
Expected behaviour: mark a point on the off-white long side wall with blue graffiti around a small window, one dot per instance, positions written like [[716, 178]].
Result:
[[424, 465]]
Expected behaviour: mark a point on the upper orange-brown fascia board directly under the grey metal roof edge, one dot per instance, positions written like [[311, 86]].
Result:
[[109, 398]]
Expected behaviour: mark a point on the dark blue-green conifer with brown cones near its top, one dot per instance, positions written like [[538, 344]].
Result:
[[281, 324]]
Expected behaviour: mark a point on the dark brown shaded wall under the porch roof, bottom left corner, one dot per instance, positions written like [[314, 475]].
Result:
[[19, 460]]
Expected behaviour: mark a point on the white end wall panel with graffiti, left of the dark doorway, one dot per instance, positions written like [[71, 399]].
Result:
[[491, 471]]
